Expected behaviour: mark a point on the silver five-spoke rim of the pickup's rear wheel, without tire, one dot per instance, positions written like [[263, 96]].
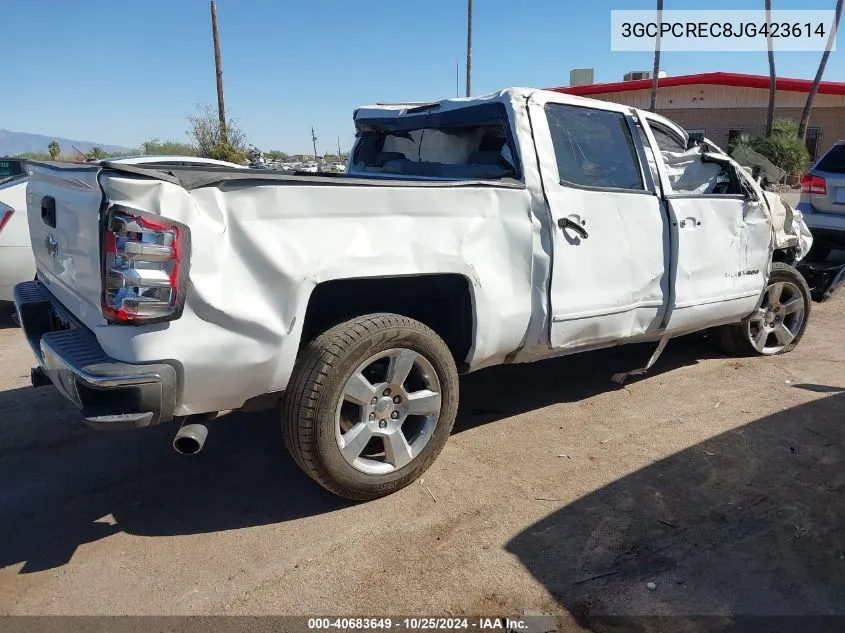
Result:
[[388, 411]]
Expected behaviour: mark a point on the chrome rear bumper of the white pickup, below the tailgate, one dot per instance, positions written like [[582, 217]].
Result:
[[111, 394]]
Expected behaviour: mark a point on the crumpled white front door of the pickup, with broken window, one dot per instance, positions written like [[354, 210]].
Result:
[[721, 236]]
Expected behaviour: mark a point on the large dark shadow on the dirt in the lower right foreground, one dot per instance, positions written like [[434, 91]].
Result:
[[749, 522]]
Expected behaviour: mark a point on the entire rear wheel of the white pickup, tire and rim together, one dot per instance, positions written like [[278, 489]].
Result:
[[371, 403]]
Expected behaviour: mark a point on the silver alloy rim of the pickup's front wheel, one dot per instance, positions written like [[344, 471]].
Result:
[[779, 318]]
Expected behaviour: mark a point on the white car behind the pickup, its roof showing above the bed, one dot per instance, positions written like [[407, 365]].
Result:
[[16, 261]]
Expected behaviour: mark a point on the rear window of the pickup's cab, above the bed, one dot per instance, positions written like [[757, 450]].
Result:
[[467, 143]]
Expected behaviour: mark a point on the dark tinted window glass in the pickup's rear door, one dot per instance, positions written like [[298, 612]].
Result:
[[590, 148]]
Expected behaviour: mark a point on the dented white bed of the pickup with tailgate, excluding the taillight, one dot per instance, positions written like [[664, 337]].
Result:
[[261, 241]]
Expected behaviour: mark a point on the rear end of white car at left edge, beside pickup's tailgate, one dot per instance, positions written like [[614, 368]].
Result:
[[16, 261]]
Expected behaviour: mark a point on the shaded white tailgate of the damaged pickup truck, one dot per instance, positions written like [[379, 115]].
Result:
[[63, 208]]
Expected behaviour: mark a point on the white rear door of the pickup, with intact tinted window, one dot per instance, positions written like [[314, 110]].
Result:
[[610, 237]]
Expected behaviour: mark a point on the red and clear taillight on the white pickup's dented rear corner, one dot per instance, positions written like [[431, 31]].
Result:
[[144, 267]]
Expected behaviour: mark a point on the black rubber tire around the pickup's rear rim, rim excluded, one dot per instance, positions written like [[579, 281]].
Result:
[[316, 387]]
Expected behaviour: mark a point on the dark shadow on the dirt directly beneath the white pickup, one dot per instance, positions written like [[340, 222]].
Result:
[[60, 481]]
